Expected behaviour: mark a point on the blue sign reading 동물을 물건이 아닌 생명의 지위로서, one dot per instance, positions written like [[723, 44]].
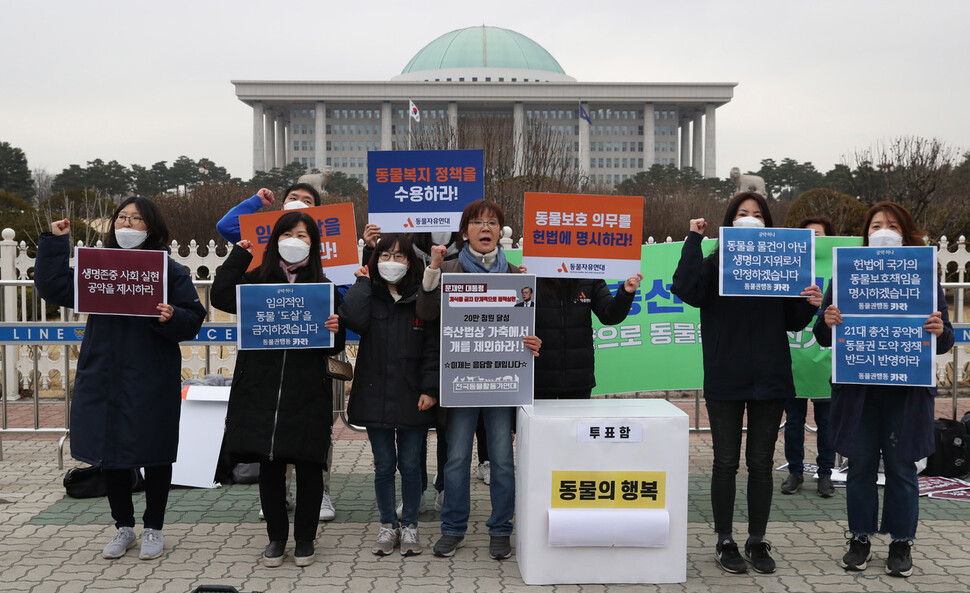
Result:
[[766, 262]]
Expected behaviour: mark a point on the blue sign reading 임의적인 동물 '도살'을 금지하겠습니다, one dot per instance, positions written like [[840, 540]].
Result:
[[272, 316]]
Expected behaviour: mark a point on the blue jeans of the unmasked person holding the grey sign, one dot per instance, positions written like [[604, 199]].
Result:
[[457, 503]]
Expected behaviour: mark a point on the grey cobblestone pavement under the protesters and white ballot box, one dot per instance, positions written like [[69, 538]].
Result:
[[50, 543]]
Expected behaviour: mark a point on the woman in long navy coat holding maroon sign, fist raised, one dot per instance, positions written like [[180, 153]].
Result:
[[126, 403]]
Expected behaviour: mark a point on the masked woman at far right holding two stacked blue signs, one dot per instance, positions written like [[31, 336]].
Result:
[[896, 421]]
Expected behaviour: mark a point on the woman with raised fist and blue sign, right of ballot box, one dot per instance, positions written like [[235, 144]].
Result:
[[747, 368]]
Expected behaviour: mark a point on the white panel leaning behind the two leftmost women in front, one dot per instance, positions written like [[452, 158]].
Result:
[[201, 428]]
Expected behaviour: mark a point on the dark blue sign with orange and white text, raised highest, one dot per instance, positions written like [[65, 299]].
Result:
[[422, 190]]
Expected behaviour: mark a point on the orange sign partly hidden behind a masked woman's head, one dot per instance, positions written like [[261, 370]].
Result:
[[338, 237]]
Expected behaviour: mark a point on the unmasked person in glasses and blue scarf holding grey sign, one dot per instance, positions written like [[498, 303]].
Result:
[[481, 226]]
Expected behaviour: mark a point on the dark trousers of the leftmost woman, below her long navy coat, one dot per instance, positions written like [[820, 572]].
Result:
[[117, 484]]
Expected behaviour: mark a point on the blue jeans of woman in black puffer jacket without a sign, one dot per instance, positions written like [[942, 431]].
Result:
[[406, 458]]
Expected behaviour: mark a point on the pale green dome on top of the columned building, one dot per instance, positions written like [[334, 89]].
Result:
[[483, 47]]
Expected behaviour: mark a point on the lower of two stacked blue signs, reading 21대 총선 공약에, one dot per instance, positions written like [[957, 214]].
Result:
[[882, 350]]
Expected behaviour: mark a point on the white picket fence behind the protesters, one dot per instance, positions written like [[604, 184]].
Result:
[[20, 304]]
